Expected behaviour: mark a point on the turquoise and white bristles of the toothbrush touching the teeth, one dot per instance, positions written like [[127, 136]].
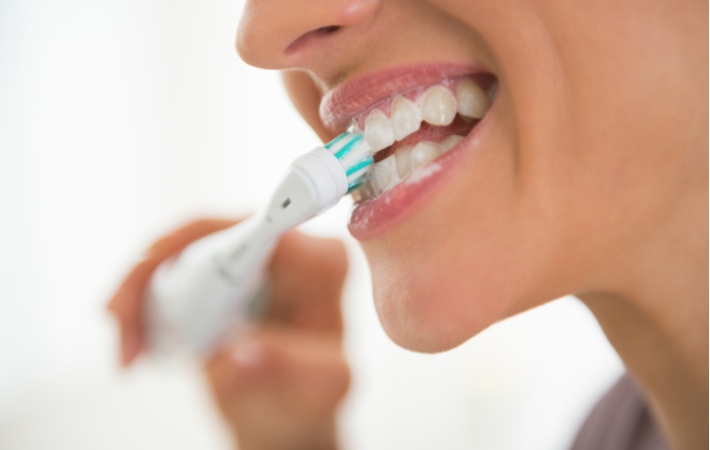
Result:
[[354, 154]]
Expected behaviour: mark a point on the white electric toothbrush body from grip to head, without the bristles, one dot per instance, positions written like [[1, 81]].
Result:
[[210, 288]]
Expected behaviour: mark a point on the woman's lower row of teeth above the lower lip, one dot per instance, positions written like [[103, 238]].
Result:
[[395, 168]]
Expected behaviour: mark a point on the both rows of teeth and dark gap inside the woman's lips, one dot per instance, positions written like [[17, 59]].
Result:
[[409, 130]]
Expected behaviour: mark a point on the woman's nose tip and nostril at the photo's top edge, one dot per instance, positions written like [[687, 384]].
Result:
[[288, 34]]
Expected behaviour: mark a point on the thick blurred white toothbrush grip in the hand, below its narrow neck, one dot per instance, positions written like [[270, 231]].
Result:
[[193, 300]]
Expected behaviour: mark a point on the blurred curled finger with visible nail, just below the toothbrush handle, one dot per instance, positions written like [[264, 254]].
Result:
[[280, 369]]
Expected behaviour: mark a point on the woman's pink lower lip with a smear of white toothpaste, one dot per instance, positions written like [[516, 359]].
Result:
[[375, 217]]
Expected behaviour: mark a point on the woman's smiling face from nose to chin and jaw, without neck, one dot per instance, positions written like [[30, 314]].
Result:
[[597, 130]]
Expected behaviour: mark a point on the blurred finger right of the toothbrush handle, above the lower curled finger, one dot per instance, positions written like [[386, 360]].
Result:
[[307, 276]]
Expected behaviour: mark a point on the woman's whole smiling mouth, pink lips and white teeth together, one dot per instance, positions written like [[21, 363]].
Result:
[[412, 120]]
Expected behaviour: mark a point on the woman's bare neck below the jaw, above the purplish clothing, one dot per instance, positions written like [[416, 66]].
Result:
[[656, 317]]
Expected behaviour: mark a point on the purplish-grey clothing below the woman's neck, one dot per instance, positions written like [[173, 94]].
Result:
[[621, 421]]
